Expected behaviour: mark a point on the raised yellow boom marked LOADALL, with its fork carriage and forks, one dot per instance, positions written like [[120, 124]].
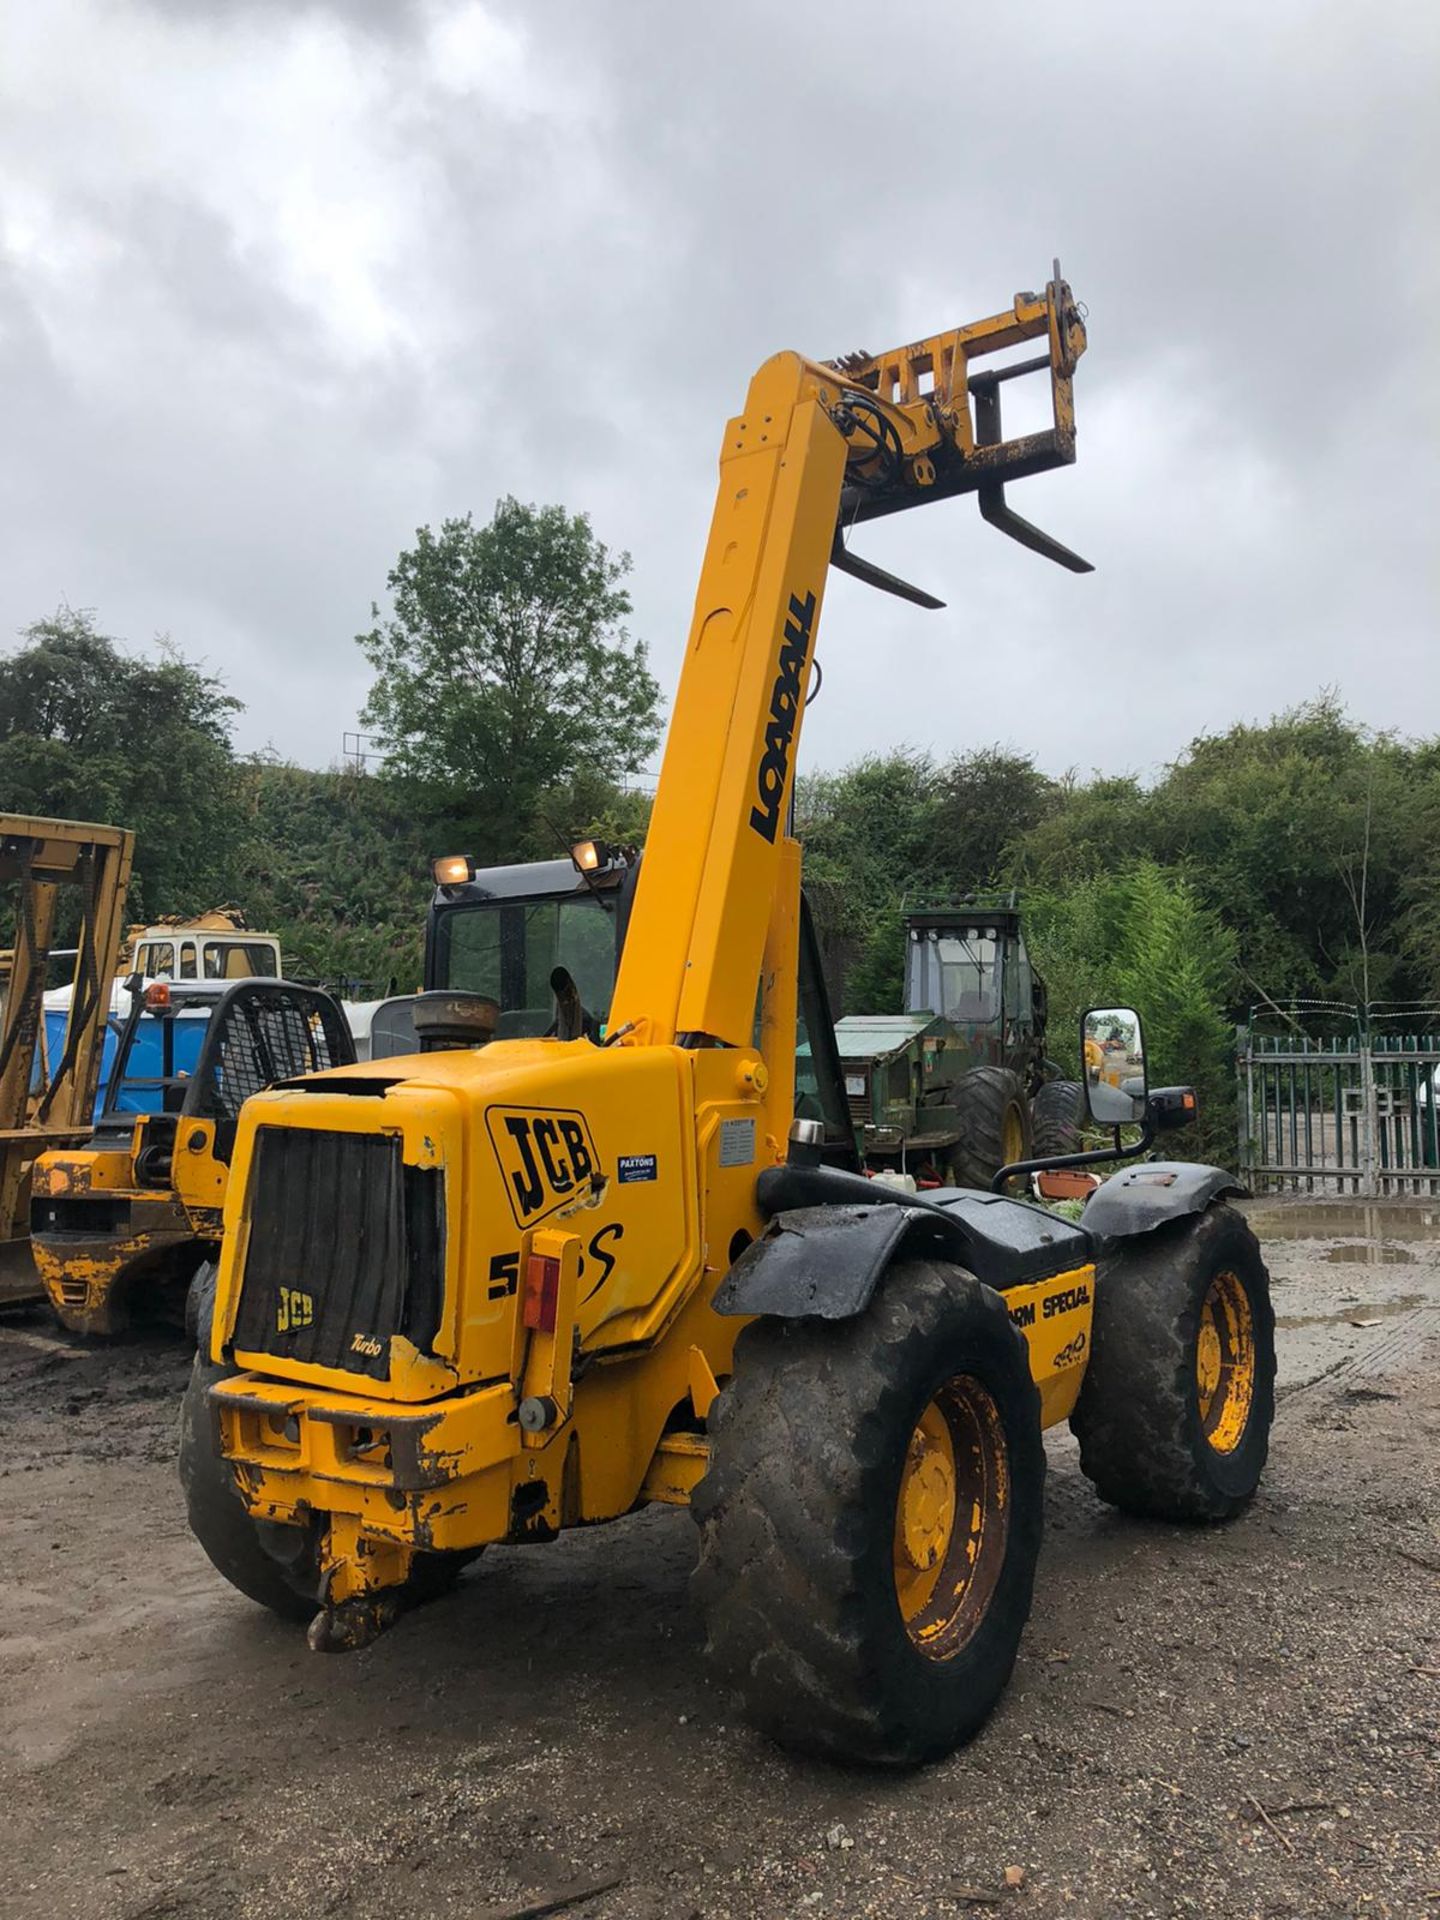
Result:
[[817, 450]]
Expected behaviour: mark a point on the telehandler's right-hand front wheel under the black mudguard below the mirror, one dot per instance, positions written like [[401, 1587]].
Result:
[[1178, 1401]]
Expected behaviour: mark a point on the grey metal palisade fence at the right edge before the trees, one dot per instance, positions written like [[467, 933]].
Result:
[[1341, 1099]]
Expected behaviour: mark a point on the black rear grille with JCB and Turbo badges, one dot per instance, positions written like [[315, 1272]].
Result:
[[347, 1249]]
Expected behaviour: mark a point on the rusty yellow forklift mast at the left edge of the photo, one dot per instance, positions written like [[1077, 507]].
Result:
[[62, 886]]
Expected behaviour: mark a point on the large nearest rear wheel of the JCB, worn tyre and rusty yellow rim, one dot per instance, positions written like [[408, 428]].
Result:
[[873, 1518]]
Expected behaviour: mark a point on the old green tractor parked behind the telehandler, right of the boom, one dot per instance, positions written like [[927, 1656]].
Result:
[[959, 1086]]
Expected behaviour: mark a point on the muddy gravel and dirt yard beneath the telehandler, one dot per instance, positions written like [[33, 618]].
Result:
[[1239, 1721]]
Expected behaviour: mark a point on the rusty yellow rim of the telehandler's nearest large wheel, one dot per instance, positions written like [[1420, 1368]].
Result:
[[951, 1518]]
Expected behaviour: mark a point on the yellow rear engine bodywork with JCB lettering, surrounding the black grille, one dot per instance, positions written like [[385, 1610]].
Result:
[[512, 1128]]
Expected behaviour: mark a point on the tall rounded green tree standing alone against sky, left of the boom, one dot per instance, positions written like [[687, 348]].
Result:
[[506, 675]]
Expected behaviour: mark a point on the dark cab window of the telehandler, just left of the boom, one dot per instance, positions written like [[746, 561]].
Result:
[[512, 948]]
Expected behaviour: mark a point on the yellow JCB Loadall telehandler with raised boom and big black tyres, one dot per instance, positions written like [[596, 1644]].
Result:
[[491, 1293]]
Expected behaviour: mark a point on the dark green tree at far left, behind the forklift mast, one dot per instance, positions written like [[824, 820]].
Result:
[[91, 732]]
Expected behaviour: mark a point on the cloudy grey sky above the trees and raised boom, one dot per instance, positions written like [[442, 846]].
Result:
[[281, 281]]
